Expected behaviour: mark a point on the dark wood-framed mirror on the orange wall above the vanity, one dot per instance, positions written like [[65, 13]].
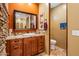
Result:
[[24, 20]]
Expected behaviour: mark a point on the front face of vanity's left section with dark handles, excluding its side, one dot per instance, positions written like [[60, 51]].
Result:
[[16, 47]]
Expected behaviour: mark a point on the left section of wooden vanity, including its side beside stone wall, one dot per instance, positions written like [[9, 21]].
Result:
[[14, 47]]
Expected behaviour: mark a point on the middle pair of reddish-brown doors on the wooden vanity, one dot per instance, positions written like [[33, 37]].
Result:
[[30, 46]]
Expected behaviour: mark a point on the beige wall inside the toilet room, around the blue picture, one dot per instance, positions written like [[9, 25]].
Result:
[[58, 15]]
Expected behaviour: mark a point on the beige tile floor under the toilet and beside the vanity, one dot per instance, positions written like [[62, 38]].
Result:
[[56, 52]]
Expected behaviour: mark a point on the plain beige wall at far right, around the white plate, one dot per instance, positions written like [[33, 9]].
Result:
[[73, 24]]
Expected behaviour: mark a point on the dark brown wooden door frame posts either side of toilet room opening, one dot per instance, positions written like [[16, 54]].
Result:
[[66, 29]]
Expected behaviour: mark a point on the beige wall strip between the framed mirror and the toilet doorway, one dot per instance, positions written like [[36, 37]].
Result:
[[44, 9]]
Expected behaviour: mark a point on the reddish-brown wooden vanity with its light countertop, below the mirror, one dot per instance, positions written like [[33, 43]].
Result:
[[25, 45]]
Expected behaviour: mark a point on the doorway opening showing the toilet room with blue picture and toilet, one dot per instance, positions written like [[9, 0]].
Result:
[[58, 29]]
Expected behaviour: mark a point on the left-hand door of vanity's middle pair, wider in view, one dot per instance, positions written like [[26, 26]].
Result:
[[27, 47]]
